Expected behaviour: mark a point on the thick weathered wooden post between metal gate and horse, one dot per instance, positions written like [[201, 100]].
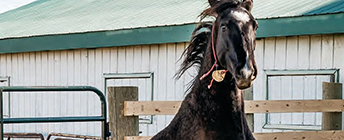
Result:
[[120, 125]]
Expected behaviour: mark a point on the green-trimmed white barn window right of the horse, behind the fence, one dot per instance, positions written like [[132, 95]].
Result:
[[296, 85]]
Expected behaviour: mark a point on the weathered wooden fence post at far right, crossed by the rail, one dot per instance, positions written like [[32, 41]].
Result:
[[332, 121]]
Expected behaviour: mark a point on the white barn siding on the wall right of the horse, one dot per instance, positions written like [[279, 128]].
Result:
[[296, 52]]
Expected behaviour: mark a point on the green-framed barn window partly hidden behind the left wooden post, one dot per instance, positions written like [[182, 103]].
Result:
[[144, 82]]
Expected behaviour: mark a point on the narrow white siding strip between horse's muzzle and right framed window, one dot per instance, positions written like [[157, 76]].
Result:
[[258, 85]]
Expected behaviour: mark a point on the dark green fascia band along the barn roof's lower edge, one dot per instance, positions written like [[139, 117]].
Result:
[[289, 26]]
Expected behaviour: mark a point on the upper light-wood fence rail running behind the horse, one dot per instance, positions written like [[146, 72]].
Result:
[[135, 108]]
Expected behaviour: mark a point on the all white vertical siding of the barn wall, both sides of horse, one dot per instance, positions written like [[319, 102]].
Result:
[[87, 66]]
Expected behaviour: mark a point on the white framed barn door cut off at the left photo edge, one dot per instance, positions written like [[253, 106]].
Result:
[[4, 81]]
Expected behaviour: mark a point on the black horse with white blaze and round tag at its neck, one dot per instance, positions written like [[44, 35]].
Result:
[[223, 51]]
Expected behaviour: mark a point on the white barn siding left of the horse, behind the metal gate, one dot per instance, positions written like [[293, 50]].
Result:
[[86, 67]]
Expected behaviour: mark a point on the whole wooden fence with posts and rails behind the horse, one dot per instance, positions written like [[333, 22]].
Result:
[[124, 110]]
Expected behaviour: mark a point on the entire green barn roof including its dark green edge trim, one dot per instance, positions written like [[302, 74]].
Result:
[[71, 24]]
